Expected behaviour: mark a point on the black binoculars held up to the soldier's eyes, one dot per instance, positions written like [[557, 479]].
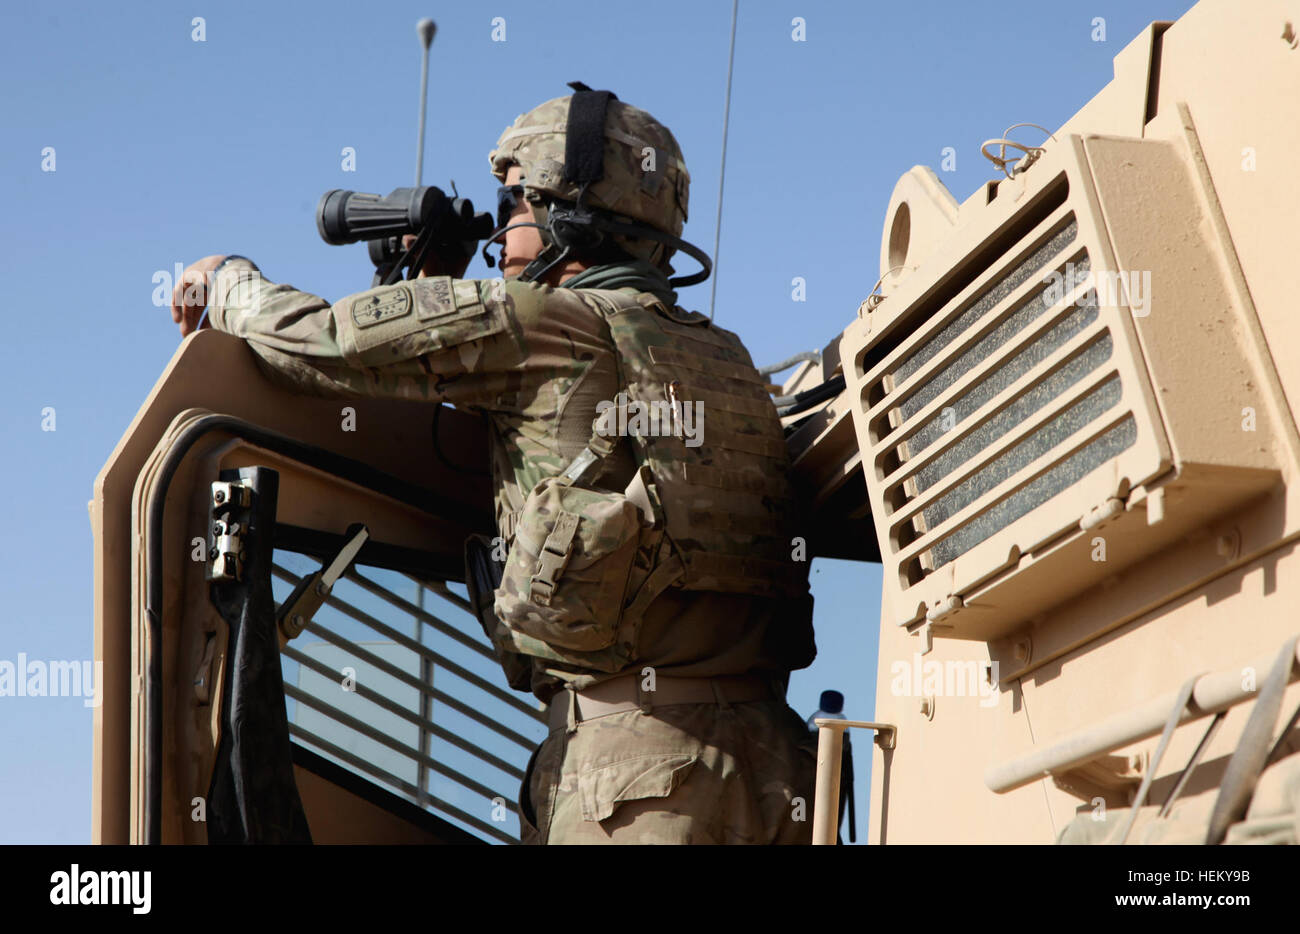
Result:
[[447, 226]]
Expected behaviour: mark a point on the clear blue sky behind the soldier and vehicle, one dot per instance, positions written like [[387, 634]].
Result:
[[168, 150]]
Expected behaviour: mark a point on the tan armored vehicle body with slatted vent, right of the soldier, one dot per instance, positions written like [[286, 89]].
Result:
[[1069, 414]]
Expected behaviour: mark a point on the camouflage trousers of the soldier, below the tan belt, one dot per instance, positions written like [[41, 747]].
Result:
[[686, 773]]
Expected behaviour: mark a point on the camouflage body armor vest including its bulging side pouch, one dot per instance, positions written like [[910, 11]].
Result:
[[709, 505]]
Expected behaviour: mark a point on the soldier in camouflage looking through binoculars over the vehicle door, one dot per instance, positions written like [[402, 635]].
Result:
[[649, 595]]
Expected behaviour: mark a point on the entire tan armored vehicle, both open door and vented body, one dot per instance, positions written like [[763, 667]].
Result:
[[1067, 414]]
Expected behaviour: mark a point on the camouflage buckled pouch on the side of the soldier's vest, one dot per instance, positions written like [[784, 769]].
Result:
[[567, 572]]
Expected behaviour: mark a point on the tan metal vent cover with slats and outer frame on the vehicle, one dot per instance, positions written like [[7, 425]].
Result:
[[1002, 400]]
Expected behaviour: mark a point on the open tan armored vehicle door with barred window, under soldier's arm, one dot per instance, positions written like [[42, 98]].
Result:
[[288, 646]]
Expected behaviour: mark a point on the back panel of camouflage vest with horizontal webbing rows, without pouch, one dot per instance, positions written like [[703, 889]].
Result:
[[726, 496]]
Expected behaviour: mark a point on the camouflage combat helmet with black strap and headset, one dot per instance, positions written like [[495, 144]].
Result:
[[599, 171]]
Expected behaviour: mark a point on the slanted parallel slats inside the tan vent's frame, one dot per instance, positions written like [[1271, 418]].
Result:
[[991, 394]]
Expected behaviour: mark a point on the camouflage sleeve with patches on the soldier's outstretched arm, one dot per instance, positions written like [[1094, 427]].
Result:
[[439, 339]]
